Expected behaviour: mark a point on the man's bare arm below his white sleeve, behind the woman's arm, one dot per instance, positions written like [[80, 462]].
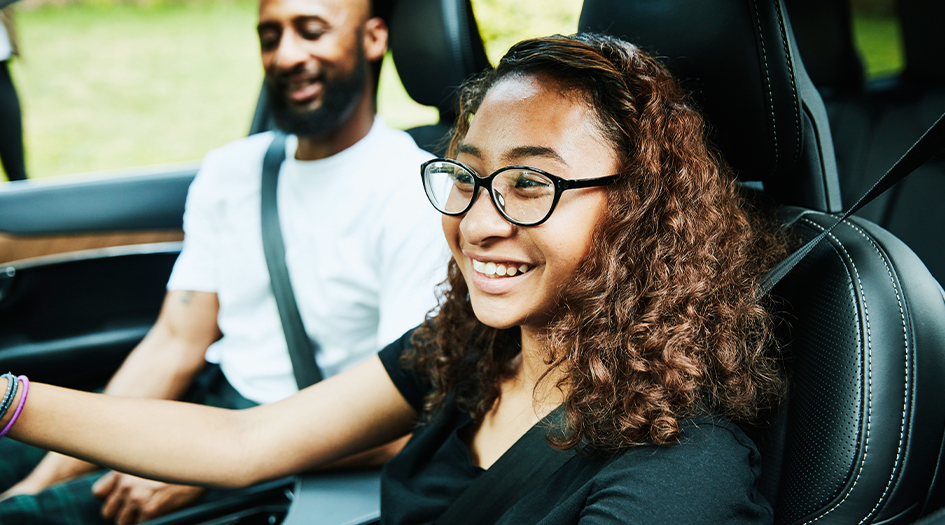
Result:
[[162, 366]]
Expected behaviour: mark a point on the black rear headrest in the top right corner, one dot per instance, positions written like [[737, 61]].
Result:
[[923, 38]]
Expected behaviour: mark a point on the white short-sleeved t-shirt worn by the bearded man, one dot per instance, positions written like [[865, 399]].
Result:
[[364, 250]]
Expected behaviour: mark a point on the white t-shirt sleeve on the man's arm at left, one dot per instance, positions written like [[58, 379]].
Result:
[[195, 267]]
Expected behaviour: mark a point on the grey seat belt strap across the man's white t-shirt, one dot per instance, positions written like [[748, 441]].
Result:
[[302, 348]]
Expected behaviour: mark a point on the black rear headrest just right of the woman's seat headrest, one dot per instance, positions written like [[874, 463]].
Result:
[[824, 33]]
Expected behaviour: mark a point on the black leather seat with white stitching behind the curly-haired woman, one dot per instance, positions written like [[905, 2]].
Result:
[[859, 438]]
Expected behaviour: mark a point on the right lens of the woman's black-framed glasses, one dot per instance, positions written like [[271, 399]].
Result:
[[524, 196]]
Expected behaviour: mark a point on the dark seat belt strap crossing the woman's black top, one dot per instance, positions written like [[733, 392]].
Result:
[[525, 465]]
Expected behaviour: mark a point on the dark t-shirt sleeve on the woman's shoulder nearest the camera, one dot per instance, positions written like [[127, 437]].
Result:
[[691, 482]]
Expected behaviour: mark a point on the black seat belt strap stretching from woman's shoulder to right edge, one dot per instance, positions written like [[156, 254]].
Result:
[[930, 144]]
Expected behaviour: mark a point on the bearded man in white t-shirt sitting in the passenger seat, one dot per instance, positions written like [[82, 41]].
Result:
[[363, 249]]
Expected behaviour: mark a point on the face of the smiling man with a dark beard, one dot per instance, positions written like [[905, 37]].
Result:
[[313, 53]]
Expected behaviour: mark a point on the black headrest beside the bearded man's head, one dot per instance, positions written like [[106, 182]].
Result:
[[436, 46]]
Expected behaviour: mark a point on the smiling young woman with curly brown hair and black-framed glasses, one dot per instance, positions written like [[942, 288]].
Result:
[[602, 262]]
